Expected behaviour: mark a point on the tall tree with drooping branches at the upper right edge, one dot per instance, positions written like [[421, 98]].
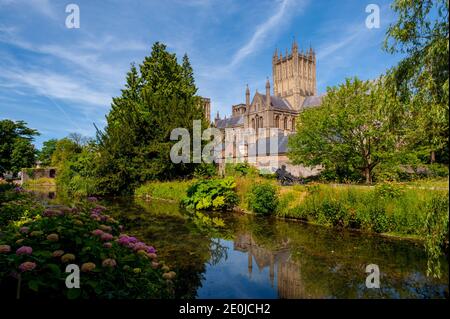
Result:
[[421, 79]]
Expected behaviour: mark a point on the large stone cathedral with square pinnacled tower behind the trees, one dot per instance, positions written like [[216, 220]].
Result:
[[272, 115]]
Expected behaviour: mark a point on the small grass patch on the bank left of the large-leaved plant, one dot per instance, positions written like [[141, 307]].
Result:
[[173, 190]]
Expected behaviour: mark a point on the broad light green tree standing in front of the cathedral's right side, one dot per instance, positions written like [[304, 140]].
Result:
[[353, 129]]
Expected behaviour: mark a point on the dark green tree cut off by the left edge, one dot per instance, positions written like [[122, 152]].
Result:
[[16, 149]]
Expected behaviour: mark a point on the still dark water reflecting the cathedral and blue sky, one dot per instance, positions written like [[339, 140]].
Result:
[[260, 257]]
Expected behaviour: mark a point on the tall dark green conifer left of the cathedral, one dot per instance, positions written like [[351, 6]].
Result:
[[159, 96]]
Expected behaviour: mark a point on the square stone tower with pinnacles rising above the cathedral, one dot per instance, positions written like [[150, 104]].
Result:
[[294, 75]]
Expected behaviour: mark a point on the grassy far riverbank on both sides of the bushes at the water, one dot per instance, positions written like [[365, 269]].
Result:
[[401, 210]]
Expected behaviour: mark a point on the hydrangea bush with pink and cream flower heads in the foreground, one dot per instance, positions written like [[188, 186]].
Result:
[[112, 266]]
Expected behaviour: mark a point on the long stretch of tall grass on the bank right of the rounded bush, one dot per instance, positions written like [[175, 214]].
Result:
[[381, 209]]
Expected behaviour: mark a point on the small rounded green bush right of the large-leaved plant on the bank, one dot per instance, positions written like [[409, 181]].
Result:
[[263, 199]]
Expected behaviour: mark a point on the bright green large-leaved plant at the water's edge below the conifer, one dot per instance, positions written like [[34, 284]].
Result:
[[211, 194]]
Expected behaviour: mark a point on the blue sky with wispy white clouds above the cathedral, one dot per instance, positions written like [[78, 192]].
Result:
[[61, 80]]
